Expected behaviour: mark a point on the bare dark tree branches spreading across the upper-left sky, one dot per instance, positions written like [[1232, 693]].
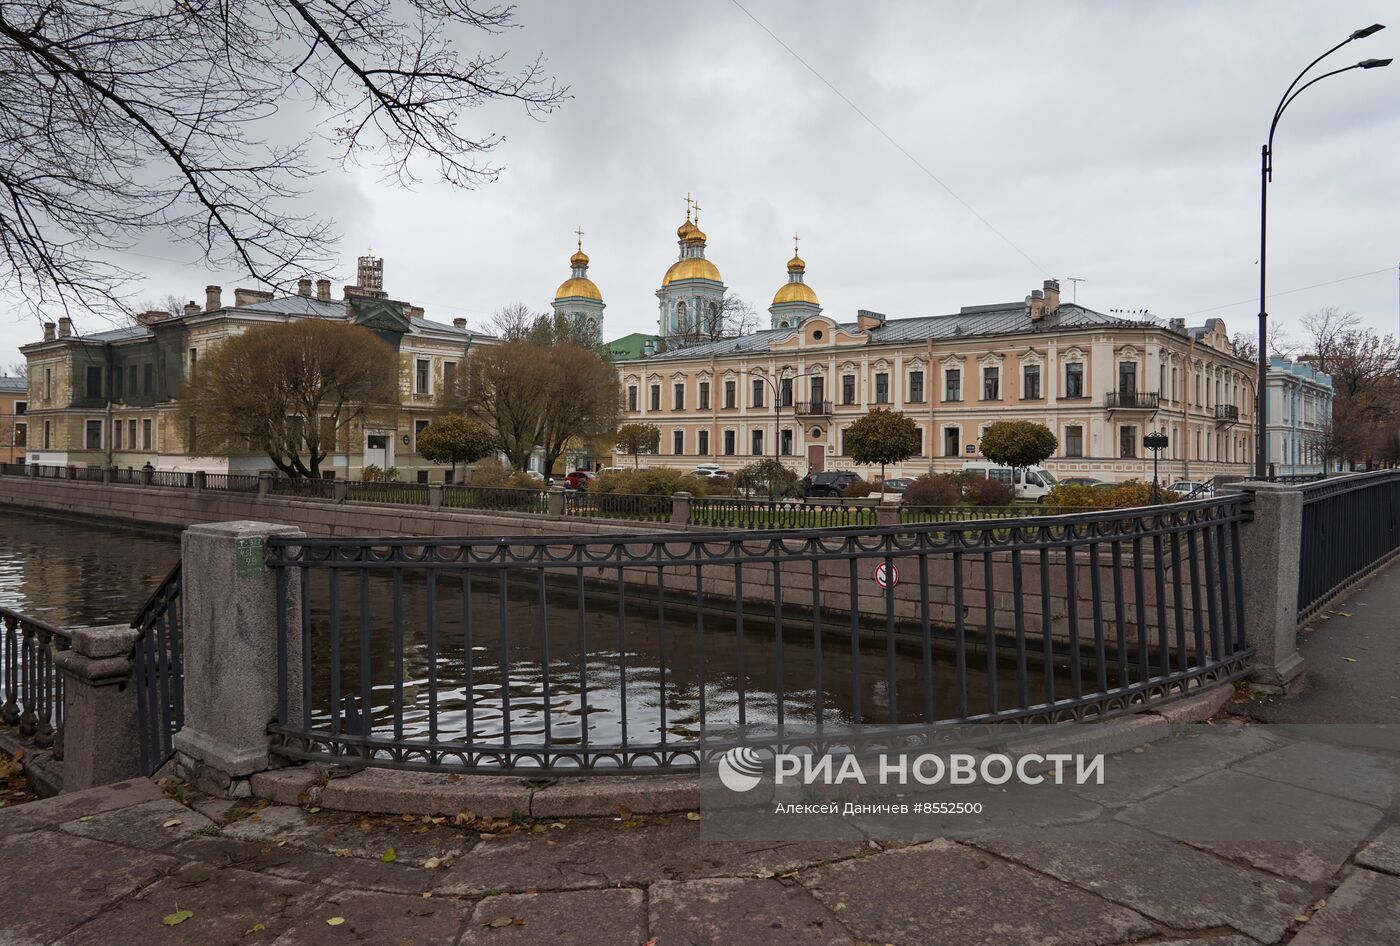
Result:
[[127, 120]]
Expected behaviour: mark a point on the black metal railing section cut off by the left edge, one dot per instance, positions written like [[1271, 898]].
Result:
[[33, 685]]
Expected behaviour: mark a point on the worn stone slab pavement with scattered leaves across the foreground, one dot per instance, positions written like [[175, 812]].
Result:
[[1230, 835]]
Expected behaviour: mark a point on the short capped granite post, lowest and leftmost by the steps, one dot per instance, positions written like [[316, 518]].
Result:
[[100, 730]]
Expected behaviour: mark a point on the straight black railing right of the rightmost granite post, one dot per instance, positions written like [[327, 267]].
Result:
[[1352, 525]]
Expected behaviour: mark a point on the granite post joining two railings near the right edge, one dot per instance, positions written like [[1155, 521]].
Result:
[[1270, 548]]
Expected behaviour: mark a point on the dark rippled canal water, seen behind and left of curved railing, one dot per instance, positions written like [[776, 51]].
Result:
[[559, 672]]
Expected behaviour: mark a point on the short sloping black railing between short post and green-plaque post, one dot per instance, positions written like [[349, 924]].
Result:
[[159, 667]]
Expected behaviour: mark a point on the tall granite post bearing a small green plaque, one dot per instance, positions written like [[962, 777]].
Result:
[[232, 653]]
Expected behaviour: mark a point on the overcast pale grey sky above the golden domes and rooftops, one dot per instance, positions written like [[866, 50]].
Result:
[[1118, 143]]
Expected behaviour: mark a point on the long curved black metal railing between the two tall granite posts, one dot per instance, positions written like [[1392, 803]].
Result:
[[653, 653]]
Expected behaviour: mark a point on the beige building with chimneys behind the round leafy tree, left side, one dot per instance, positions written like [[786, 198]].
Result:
[[111, 398]]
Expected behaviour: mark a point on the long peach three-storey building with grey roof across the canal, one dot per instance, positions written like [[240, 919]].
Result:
[[1101, 383]]
